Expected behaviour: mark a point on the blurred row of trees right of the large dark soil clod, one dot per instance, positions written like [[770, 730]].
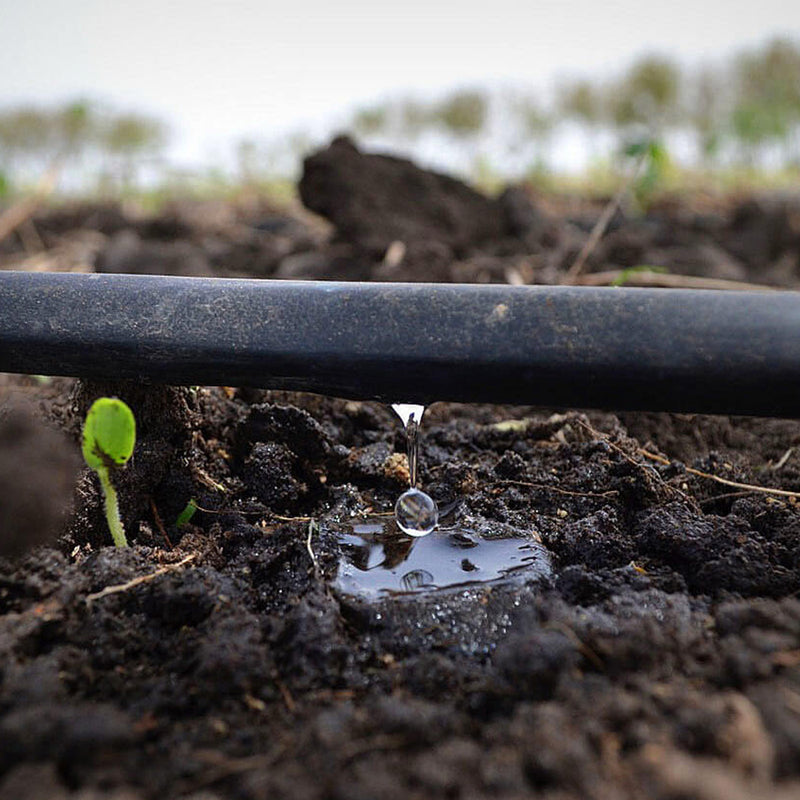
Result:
[[740, 117]]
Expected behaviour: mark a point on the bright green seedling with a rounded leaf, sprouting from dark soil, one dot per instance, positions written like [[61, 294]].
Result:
[[109, 435]]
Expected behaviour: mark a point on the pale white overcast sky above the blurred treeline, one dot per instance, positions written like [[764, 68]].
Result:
[[217, 71]]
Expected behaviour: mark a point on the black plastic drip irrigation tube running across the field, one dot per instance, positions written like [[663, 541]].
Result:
[[667, 350]]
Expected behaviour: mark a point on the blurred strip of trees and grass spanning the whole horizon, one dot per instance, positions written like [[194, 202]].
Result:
[[719, 124]]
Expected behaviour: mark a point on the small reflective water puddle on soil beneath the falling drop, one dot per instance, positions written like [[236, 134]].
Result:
[[380, 560]]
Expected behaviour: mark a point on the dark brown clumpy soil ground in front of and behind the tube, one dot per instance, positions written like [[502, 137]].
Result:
[[659, 657]]
